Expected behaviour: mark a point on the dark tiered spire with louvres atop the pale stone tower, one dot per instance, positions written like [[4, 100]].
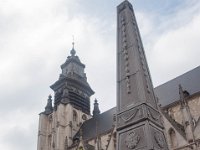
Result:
[[72, 86]]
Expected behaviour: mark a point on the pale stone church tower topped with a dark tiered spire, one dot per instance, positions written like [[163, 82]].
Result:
[[58, 125]]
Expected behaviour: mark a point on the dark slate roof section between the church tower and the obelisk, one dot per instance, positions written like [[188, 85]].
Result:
[[98, 125]]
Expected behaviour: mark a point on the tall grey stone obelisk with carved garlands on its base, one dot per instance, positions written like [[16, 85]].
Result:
[[139, 124]]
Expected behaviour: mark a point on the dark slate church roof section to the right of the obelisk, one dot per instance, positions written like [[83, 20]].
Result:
[[168, 92]]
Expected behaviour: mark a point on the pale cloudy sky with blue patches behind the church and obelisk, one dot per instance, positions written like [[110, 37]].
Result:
[[36, 38]]
